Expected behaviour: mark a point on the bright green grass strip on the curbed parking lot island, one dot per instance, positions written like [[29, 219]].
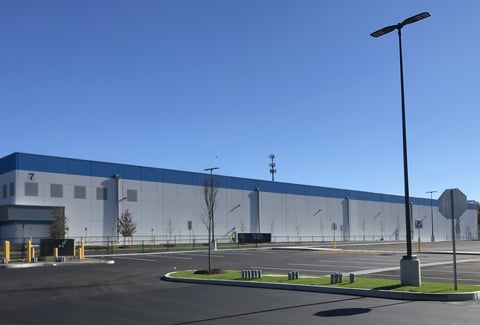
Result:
[[360, 282]]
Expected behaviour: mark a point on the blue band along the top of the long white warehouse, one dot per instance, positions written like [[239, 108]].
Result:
[[52, 164]]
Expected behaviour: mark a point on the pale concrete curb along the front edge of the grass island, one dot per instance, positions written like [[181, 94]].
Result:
[[400, 295]]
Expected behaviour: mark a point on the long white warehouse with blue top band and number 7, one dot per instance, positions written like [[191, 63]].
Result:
[[169, 203]]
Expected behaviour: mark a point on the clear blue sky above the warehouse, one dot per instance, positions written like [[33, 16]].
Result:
[[190, 84]]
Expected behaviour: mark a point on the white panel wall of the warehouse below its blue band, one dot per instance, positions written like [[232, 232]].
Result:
[[167, 208]]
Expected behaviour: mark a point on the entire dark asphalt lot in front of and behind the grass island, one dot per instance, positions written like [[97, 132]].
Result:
[[131, 290]]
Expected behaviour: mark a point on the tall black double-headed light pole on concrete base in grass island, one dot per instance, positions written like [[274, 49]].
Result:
[[378, 33]]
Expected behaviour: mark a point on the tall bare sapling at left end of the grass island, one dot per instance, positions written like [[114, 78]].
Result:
[[210, 191]]
